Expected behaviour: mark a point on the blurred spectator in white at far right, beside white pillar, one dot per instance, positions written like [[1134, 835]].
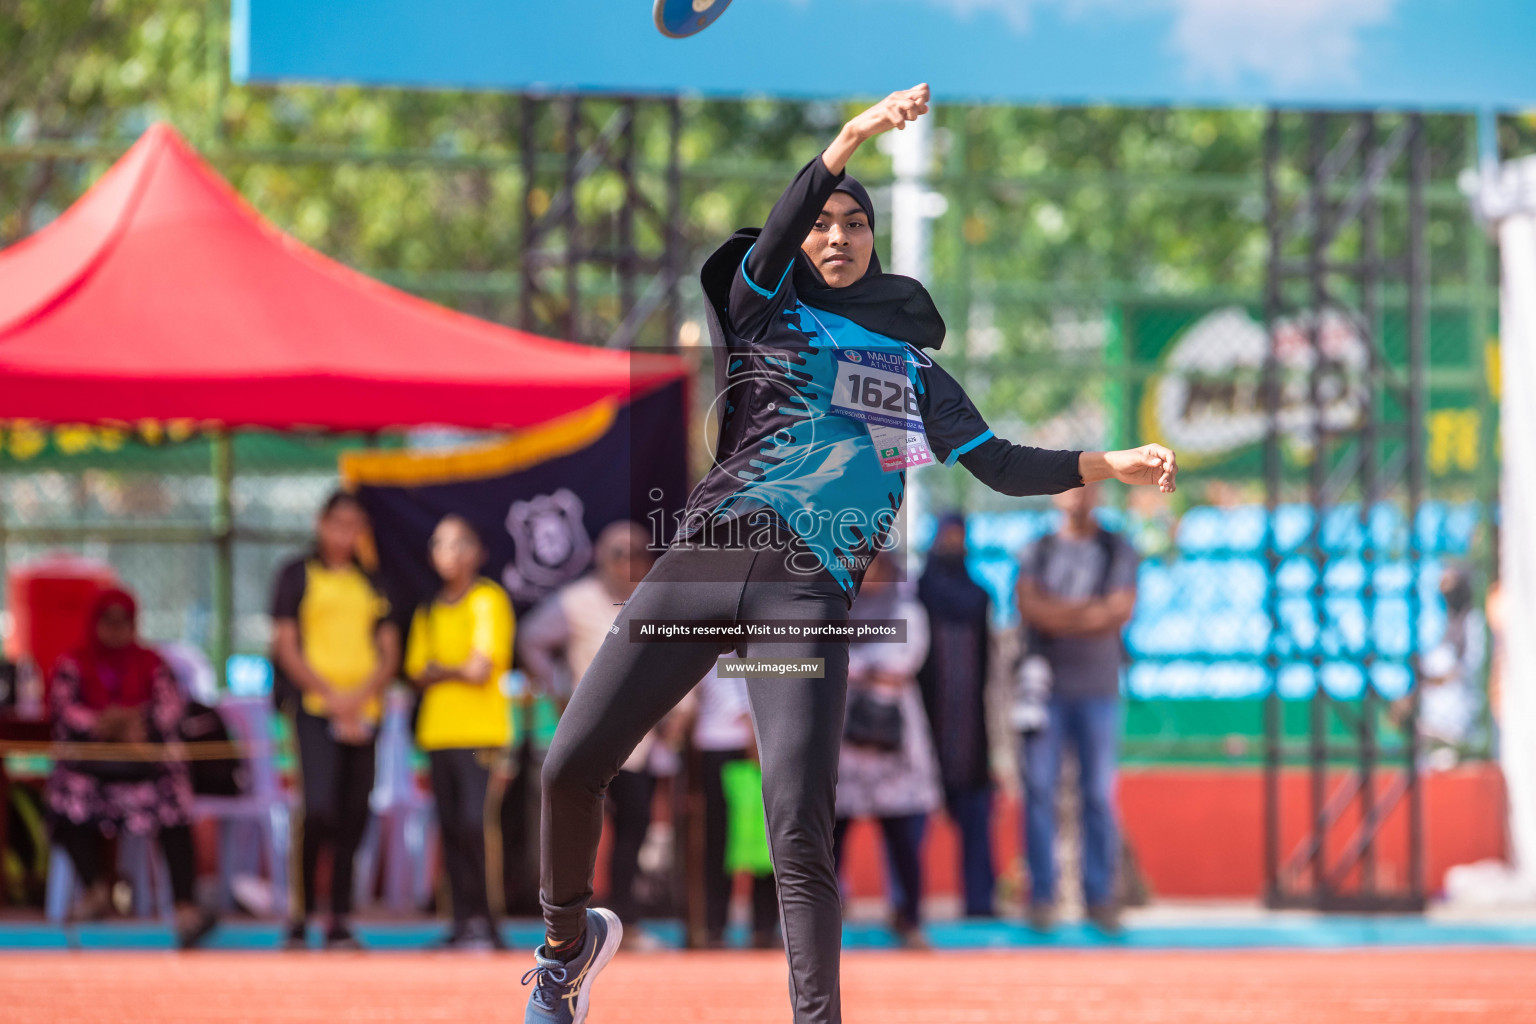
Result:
[[1451, 701]]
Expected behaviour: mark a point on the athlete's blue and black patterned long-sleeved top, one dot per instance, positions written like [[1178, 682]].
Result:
[[780, 446]]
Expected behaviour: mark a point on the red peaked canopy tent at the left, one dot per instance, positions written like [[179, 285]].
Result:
[[164, 296]]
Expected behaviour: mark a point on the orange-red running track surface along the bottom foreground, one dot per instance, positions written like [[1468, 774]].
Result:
[[1039, 988]]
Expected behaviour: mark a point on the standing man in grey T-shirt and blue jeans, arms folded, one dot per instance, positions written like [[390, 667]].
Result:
[[1078, 590]]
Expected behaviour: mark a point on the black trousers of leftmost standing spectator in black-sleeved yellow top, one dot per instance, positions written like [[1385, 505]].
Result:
[[336, 781]]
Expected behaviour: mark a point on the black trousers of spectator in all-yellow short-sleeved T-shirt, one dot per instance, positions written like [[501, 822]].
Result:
[[460, 782]]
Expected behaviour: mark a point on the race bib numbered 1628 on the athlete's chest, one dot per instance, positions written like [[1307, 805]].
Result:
[[873, 388]]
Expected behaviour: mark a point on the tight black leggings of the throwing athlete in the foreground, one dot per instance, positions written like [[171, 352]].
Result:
[[799, 721]]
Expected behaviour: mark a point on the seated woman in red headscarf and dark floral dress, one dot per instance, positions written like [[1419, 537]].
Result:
[[114, 690]]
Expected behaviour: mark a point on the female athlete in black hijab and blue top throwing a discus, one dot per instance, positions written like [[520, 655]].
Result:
[[827, 394]]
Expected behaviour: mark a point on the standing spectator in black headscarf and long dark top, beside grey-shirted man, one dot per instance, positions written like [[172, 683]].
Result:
[[955, 695]]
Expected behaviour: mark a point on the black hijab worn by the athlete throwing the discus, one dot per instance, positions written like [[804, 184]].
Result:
[[886, 303]]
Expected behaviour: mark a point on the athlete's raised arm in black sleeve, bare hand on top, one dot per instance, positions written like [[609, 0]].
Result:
[[796, 211]]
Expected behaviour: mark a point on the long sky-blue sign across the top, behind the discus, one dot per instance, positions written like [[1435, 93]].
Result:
[[1434, 55]]
